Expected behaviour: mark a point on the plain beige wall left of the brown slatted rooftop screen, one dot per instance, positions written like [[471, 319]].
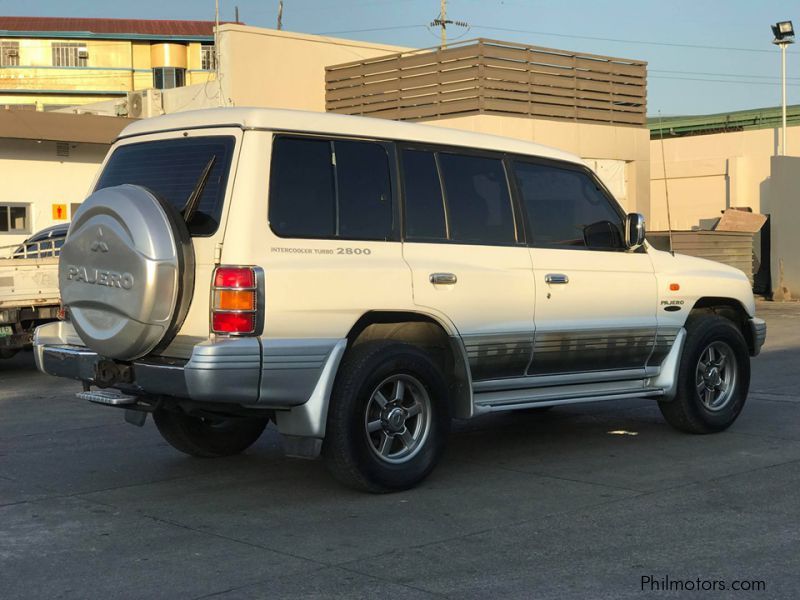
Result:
[[277, 69]]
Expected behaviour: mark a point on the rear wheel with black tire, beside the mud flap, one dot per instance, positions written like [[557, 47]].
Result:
[[360, 459]]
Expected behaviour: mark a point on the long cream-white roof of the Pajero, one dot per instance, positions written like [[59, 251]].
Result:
[[336, 124]]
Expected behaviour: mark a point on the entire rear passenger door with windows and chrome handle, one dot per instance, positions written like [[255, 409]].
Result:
[[462, 241]]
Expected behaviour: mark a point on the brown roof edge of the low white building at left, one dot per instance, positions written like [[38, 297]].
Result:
[[60, 127]]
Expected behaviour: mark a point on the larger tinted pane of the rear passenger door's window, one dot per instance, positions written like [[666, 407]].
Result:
[[478, 203]]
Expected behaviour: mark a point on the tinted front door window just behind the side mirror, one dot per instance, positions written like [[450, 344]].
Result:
[[566, 208]]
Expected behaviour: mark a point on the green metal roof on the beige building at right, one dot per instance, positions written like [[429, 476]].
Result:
[[757, 118]]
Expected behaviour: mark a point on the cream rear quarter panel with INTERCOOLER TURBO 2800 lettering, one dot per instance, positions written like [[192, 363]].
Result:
[[314, 288]]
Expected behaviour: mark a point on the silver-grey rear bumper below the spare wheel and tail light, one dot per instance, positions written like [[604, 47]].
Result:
[[279, 374]]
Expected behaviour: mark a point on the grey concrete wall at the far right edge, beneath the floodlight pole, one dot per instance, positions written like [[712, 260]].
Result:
[[781, 199]]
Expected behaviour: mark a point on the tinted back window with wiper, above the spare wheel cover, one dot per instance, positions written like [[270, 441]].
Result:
[[171, 169]]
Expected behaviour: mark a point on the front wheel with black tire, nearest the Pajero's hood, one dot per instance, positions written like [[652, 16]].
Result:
[[688, 411]]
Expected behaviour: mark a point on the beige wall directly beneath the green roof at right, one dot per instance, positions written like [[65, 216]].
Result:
[[708, 173]]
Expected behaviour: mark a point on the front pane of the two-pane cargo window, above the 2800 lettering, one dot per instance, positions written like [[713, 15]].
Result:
[[365, 207]]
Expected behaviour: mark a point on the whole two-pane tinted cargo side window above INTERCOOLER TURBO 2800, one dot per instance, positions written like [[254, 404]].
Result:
[[330, 189]]
